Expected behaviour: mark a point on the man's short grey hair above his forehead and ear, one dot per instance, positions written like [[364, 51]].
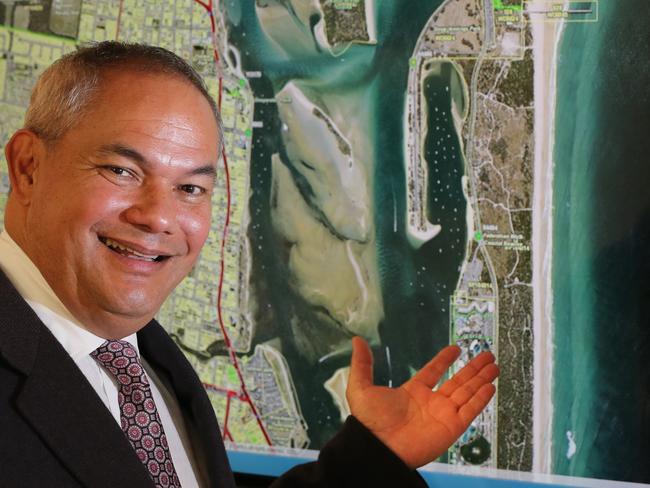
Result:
[[67, 89]]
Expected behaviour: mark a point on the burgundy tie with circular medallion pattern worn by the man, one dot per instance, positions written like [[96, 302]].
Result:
[[139, 416]]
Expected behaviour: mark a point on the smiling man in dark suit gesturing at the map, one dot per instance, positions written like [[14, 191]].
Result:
[[110, 204]]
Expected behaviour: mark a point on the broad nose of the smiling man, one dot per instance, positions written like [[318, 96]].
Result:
[[153, 210]]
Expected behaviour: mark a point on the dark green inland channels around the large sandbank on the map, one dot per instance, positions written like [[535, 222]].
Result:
[[415, 284]]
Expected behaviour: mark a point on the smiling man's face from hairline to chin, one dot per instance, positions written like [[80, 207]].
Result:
[[121, 204]]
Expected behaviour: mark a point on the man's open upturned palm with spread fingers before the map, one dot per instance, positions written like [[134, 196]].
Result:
[[416, 423]]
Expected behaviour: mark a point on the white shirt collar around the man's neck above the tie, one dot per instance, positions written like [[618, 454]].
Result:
[[76, 339]]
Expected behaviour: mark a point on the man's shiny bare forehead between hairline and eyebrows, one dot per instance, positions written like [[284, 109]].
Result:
[[158, 112]]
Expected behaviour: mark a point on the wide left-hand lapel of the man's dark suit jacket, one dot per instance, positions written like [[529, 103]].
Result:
[[59, 403]]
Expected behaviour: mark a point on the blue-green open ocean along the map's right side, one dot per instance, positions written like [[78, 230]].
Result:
[[601, 260]]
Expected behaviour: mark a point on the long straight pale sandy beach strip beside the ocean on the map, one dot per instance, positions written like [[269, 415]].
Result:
[[546, 38]]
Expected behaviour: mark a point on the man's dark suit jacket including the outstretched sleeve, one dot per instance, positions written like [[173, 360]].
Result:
[[56, 432]]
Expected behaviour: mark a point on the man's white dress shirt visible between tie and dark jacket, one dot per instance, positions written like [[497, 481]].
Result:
[[79, 343]]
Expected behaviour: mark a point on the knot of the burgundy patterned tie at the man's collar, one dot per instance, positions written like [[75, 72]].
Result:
[[121, 359]]
